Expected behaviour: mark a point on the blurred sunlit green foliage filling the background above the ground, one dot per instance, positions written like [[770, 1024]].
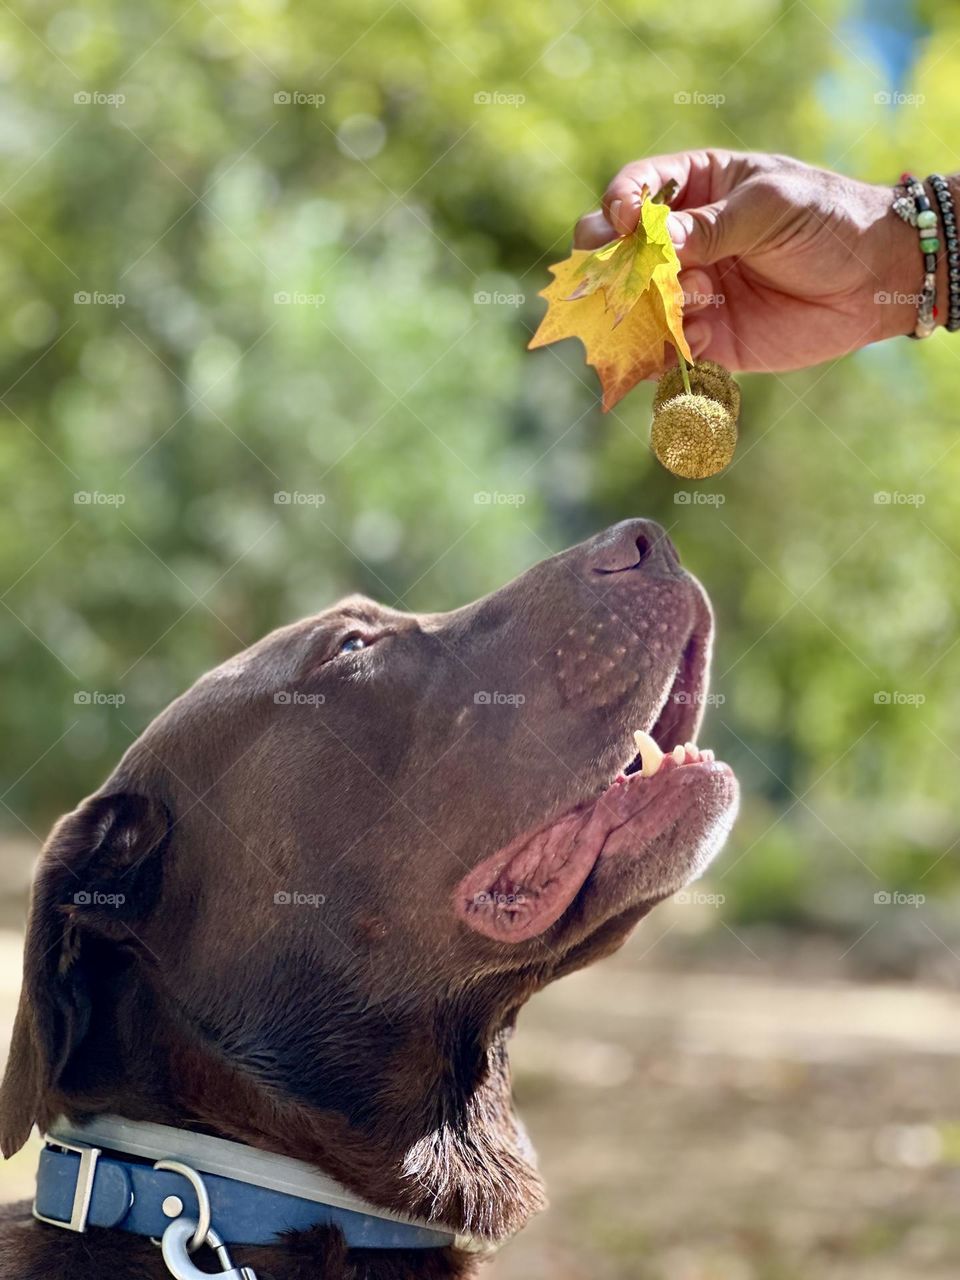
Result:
[[340, 156]]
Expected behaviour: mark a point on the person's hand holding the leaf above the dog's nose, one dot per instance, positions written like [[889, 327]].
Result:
[[784, 266]]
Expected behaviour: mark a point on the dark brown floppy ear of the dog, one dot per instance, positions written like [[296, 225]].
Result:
[[99, 875]]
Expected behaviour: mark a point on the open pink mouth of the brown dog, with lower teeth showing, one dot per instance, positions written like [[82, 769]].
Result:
[[653, 828]]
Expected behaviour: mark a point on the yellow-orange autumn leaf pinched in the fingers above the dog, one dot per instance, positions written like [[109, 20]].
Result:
[[624, 303]]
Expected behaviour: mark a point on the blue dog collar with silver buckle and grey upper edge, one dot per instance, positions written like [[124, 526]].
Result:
[[230, 1194]]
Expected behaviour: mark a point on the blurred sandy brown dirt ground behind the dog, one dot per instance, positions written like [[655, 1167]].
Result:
[[715, 1108]]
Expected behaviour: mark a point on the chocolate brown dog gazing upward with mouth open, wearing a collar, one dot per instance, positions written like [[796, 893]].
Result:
[[292, 932]]
